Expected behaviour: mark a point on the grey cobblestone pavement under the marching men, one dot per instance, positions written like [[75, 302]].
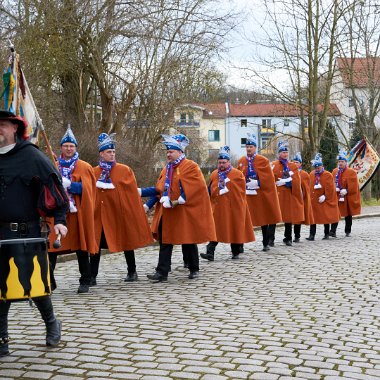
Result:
[[310, 311]]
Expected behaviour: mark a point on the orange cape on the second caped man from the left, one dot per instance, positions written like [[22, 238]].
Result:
[[120, 213]]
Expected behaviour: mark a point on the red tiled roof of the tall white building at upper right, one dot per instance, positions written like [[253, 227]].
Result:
[[365, 72]]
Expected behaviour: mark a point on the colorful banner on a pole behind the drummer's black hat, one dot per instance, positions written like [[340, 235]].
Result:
[[18, 99]]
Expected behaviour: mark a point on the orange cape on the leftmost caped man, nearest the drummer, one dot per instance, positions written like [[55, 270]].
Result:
[[80, 225]]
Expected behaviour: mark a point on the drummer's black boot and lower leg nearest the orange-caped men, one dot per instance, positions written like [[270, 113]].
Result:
[[53, 325]]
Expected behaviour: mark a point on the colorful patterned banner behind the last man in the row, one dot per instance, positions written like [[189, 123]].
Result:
[[364, 159]]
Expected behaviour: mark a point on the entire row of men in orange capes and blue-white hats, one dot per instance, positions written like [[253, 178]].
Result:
[[106, 210]]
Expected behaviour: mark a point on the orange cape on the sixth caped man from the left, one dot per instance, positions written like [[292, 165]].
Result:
[[291, 202]]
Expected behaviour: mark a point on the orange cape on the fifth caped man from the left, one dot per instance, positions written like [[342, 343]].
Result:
[[264, 207]]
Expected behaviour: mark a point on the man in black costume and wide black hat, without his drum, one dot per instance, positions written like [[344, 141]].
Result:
[[30, 187]]
